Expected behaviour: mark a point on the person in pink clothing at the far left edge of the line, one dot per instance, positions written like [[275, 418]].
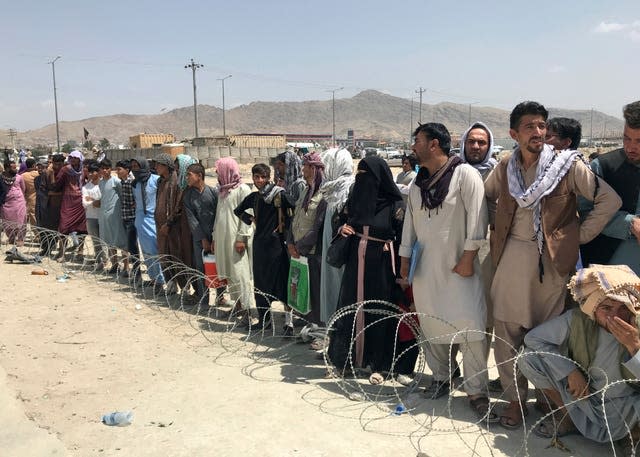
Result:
[[13, 211]]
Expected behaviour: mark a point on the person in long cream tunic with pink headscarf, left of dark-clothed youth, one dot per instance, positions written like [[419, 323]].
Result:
[[231, 236]]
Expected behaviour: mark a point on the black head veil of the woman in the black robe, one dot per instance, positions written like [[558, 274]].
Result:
[[373, 190]]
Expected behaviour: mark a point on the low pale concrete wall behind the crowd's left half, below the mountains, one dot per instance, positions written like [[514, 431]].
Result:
[[206, 154]]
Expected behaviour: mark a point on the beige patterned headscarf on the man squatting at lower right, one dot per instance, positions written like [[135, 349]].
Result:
[[591, 286]]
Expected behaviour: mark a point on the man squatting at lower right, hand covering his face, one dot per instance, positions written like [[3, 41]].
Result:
[[599, 340]]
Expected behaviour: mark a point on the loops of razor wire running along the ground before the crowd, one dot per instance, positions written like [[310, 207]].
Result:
[[372, 405]]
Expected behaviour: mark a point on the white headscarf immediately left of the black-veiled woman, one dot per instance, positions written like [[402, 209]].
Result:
[[338, 176]]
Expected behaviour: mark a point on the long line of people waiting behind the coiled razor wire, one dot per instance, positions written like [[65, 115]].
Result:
[[391, 256]]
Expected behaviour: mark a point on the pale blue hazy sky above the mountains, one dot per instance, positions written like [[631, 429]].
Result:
[[129, 57]]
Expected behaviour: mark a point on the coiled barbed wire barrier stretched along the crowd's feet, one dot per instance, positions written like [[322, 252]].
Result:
[[390, 407]]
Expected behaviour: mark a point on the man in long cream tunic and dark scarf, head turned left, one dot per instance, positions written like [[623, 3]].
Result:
[[447, 213]]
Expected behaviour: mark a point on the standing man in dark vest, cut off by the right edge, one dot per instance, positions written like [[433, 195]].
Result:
[[619, 241]]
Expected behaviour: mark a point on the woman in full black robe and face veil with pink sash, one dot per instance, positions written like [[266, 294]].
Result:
[[369, 271]]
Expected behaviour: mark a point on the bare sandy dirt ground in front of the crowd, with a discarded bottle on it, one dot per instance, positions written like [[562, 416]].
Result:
[[73, 351]]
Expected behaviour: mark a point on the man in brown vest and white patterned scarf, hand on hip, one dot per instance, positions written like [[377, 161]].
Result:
[[535, 236]]
